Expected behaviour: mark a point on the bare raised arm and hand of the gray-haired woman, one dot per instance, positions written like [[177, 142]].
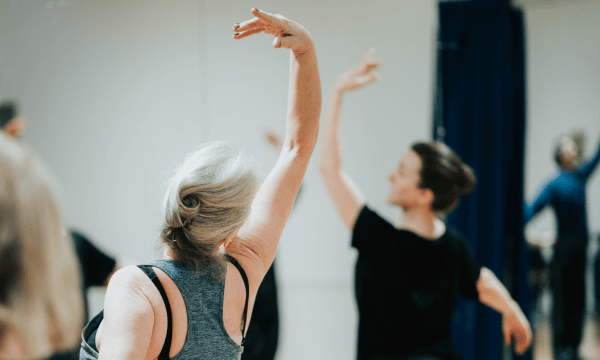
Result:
[[257, 240]]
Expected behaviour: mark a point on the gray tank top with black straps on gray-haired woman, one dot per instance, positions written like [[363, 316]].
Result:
[[207, 337]]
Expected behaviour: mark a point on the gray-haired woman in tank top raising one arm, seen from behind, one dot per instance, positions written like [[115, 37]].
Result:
[[221, 233]]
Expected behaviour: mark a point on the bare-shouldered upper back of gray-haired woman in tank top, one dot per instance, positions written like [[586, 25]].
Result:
[[206, 318]]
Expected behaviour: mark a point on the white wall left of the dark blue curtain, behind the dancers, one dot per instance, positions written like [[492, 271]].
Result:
[[117, 92]]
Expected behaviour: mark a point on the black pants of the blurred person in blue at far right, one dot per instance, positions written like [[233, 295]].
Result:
[[568, 287]]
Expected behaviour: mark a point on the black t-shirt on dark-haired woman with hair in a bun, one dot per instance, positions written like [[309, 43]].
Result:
[[407, 288]]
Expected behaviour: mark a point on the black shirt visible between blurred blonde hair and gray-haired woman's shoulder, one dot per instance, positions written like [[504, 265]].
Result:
[[95, 268]]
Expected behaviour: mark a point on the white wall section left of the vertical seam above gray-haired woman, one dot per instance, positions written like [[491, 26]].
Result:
[[114, 98]]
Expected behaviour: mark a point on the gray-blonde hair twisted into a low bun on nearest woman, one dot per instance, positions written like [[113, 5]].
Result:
[[208, 199]]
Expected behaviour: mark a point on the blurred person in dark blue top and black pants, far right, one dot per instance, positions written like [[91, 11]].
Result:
[[565, 192]]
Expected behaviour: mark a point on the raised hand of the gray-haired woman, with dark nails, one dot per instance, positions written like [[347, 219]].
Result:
[[288, 34]]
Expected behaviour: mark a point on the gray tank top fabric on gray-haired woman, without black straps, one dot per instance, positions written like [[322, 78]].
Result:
[[207, 337]]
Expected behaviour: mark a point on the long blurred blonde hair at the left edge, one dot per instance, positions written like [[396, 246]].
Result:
[[40, 289]]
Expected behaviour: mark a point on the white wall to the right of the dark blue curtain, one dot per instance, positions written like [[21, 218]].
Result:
[[563, 91]]
